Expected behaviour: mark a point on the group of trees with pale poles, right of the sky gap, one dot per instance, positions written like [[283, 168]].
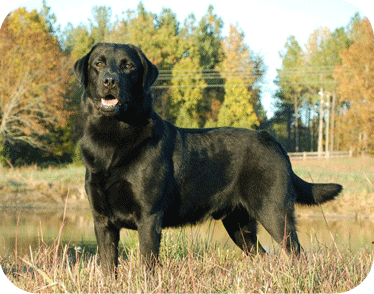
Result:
[[325, 100]]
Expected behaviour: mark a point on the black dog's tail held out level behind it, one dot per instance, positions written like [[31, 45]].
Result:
[[312, 194]]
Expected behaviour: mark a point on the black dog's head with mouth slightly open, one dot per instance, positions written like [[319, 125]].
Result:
[[117, 79]]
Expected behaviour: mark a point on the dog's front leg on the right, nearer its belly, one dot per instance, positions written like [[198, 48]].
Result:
[[149, 228]]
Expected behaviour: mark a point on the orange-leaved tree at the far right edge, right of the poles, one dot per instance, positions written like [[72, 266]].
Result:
[[356, 88]]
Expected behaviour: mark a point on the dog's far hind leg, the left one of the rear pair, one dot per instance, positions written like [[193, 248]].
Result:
[[242, 228]]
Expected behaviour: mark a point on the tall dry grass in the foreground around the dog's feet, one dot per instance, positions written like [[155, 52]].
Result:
[[189, 267]]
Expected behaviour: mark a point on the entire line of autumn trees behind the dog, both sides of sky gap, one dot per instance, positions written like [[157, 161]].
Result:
[[206, 80]]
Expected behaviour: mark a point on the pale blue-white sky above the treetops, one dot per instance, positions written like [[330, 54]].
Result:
[[266, 24]]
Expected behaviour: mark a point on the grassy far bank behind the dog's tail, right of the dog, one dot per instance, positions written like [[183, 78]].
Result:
[[355, 174]]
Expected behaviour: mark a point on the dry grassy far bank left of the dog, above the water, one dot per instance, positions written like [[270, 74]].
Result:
[[33, 187]]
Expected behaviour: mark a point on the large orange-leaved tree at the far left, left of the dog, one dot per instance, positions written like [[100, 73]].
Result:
[[34, 78]]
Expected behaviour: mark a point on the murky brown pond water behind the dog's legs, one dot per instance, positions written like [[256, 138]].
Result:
[[30, 227]]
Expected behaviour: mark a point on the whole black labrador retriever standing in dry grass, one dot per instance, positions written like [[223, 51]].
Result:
[[145, 174]]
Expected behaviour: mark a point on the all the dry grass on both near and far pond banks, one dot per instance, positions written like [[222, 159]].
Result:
[[190, 264]]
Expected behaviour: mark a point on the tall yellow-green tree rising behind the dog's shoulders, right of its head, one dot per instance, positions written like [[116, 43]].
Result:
[[201, 43]]
